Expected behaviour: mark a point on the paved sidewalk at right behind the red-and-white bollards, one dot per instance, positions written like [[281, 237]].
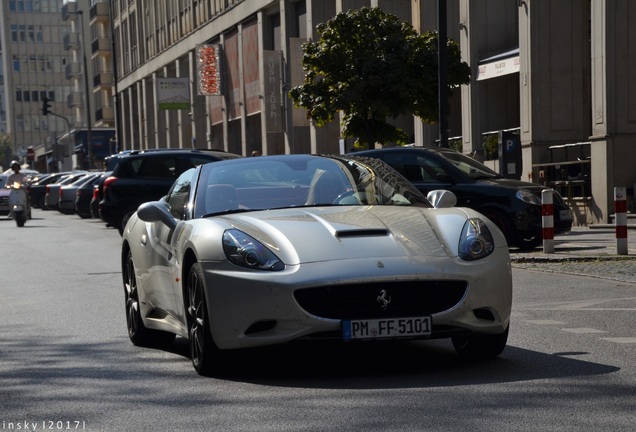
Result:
[[594, 242]]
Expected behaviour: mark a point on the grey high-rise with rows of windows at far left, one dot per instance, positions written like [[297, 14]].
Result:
[[33, 61]]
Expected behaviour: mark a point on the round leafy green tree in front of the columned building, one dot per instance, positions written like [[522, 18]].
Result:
[[371, 67]]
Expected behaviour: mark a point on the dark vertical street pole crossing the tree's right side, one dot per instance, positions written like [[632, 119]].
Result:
[[442, 64]]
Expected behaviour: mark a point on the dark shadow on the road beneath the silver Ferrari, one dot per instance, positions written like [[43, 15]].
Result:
[[370, 365]]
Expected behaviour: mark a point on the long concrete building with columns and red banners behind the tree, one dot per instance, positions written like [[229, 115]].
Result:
[[551, 78]]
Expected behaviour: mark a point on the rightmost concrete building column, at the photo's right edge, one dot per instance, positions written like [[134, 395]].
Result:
[[613, 112]]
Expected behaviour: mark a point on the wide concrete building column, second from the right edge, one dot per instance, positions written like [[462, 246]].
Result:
[[554, 80]]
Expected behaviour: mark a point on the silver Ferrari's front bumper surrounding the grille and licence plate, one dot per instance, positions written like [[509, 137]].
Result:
[[249, 309]]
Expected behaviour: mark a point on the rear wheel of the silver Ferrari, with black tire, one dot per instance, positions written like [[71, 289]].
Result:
[[138, 333]]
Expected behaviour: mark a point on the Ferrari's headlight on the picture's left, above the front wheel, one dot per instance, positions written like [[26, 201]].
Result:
[[245, 251]]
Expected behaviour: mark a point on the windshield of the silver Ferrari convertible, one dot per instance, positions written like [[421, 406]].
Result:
[[274, 182]]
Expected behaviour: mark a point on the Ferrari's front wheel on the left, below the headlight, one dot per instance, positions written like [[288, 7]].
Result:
[[203, 350]]
